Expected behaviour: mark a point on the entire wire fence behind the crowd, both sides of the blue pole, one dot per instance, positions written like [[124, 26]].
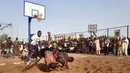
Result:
[[124, 31]]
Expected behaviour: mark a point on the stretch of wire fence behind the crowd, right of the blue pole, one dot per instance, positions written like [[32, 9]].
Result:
[[109, 32]]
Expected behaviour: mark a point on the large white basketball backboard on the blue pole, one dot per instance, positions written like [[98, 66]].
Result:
[[30, 9]]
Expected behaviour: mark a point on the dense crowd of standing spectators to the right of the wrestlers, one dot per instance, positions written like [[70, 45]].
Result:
[[95, 45]]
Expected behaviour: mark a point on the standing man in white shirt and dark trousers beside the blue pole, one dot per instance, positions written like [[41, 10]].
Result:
[[35, 44]]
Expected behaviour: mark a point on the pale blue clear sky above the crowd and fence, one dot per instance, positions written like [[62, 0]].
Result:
[[64, 16]]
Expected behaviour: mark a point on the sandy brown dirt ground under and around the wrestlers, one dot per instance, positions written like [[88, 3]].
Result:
[[81, 64]]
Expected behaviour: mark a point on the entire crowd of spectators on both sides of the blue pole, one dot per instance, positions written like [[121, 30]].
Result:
[[92, 45]]
